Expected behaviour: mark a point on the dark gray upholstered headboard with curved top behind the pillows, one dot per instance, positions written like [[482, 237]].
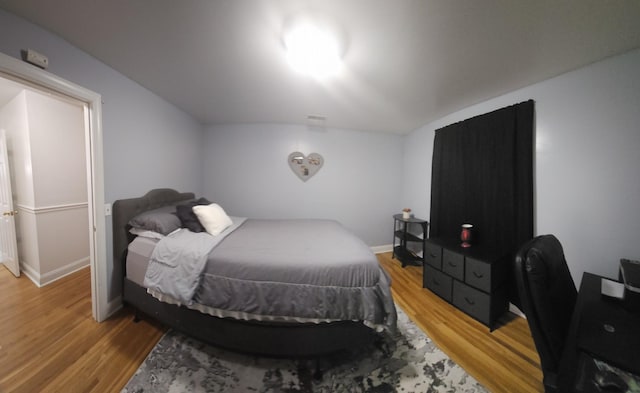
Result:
[[125, 209]]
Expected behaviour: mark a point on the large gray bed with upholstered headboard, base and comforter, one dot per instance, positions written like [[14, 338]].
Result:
[[269, 287]]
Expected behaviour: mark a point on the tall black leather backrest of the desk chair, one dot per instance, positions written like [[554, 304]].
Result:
[[547, 297]]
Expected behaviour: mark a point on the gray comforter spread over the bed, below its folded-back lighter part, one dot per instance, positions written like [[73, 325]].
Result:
[[307, 270]]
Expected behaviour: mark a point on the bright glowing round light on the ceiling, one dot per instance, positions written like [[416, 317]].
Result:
[[313, 49]]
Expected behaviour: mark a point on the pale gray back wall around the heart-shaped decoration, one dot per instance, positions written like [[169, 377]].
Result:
[[246, 171]]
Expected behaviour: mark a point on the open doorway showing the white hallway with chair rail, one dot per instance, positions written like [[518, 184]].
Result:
[[47, 212]]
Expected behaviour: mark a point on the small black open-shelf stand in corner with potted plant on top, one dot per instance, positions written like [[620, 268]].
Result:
[[402, 236]]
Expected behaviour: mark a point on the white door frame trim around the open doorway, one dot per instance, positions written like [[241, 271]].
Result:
[[31, 75]]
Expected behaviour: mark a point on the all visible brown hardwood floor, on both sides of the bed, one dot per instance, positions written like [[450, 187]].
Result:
[[50, 343]]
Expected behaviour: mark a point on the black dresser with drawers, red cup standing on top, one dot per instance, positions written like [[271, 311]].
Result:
[[473, 279]]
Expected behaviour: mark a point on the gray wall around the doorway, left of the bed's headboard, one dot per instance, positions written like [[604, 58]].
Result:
[[148, 143]]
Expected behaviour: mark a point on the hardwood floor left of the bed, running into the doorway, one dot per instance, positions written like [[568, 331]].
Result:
[[49, 342]]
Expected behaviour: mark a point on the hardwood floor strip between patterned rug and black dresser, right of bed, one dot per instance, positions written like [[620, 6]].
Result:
[[504, 360]]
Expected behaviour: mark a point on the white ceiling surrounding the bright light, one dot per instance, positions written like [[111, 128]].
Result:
[[406, 62]]
